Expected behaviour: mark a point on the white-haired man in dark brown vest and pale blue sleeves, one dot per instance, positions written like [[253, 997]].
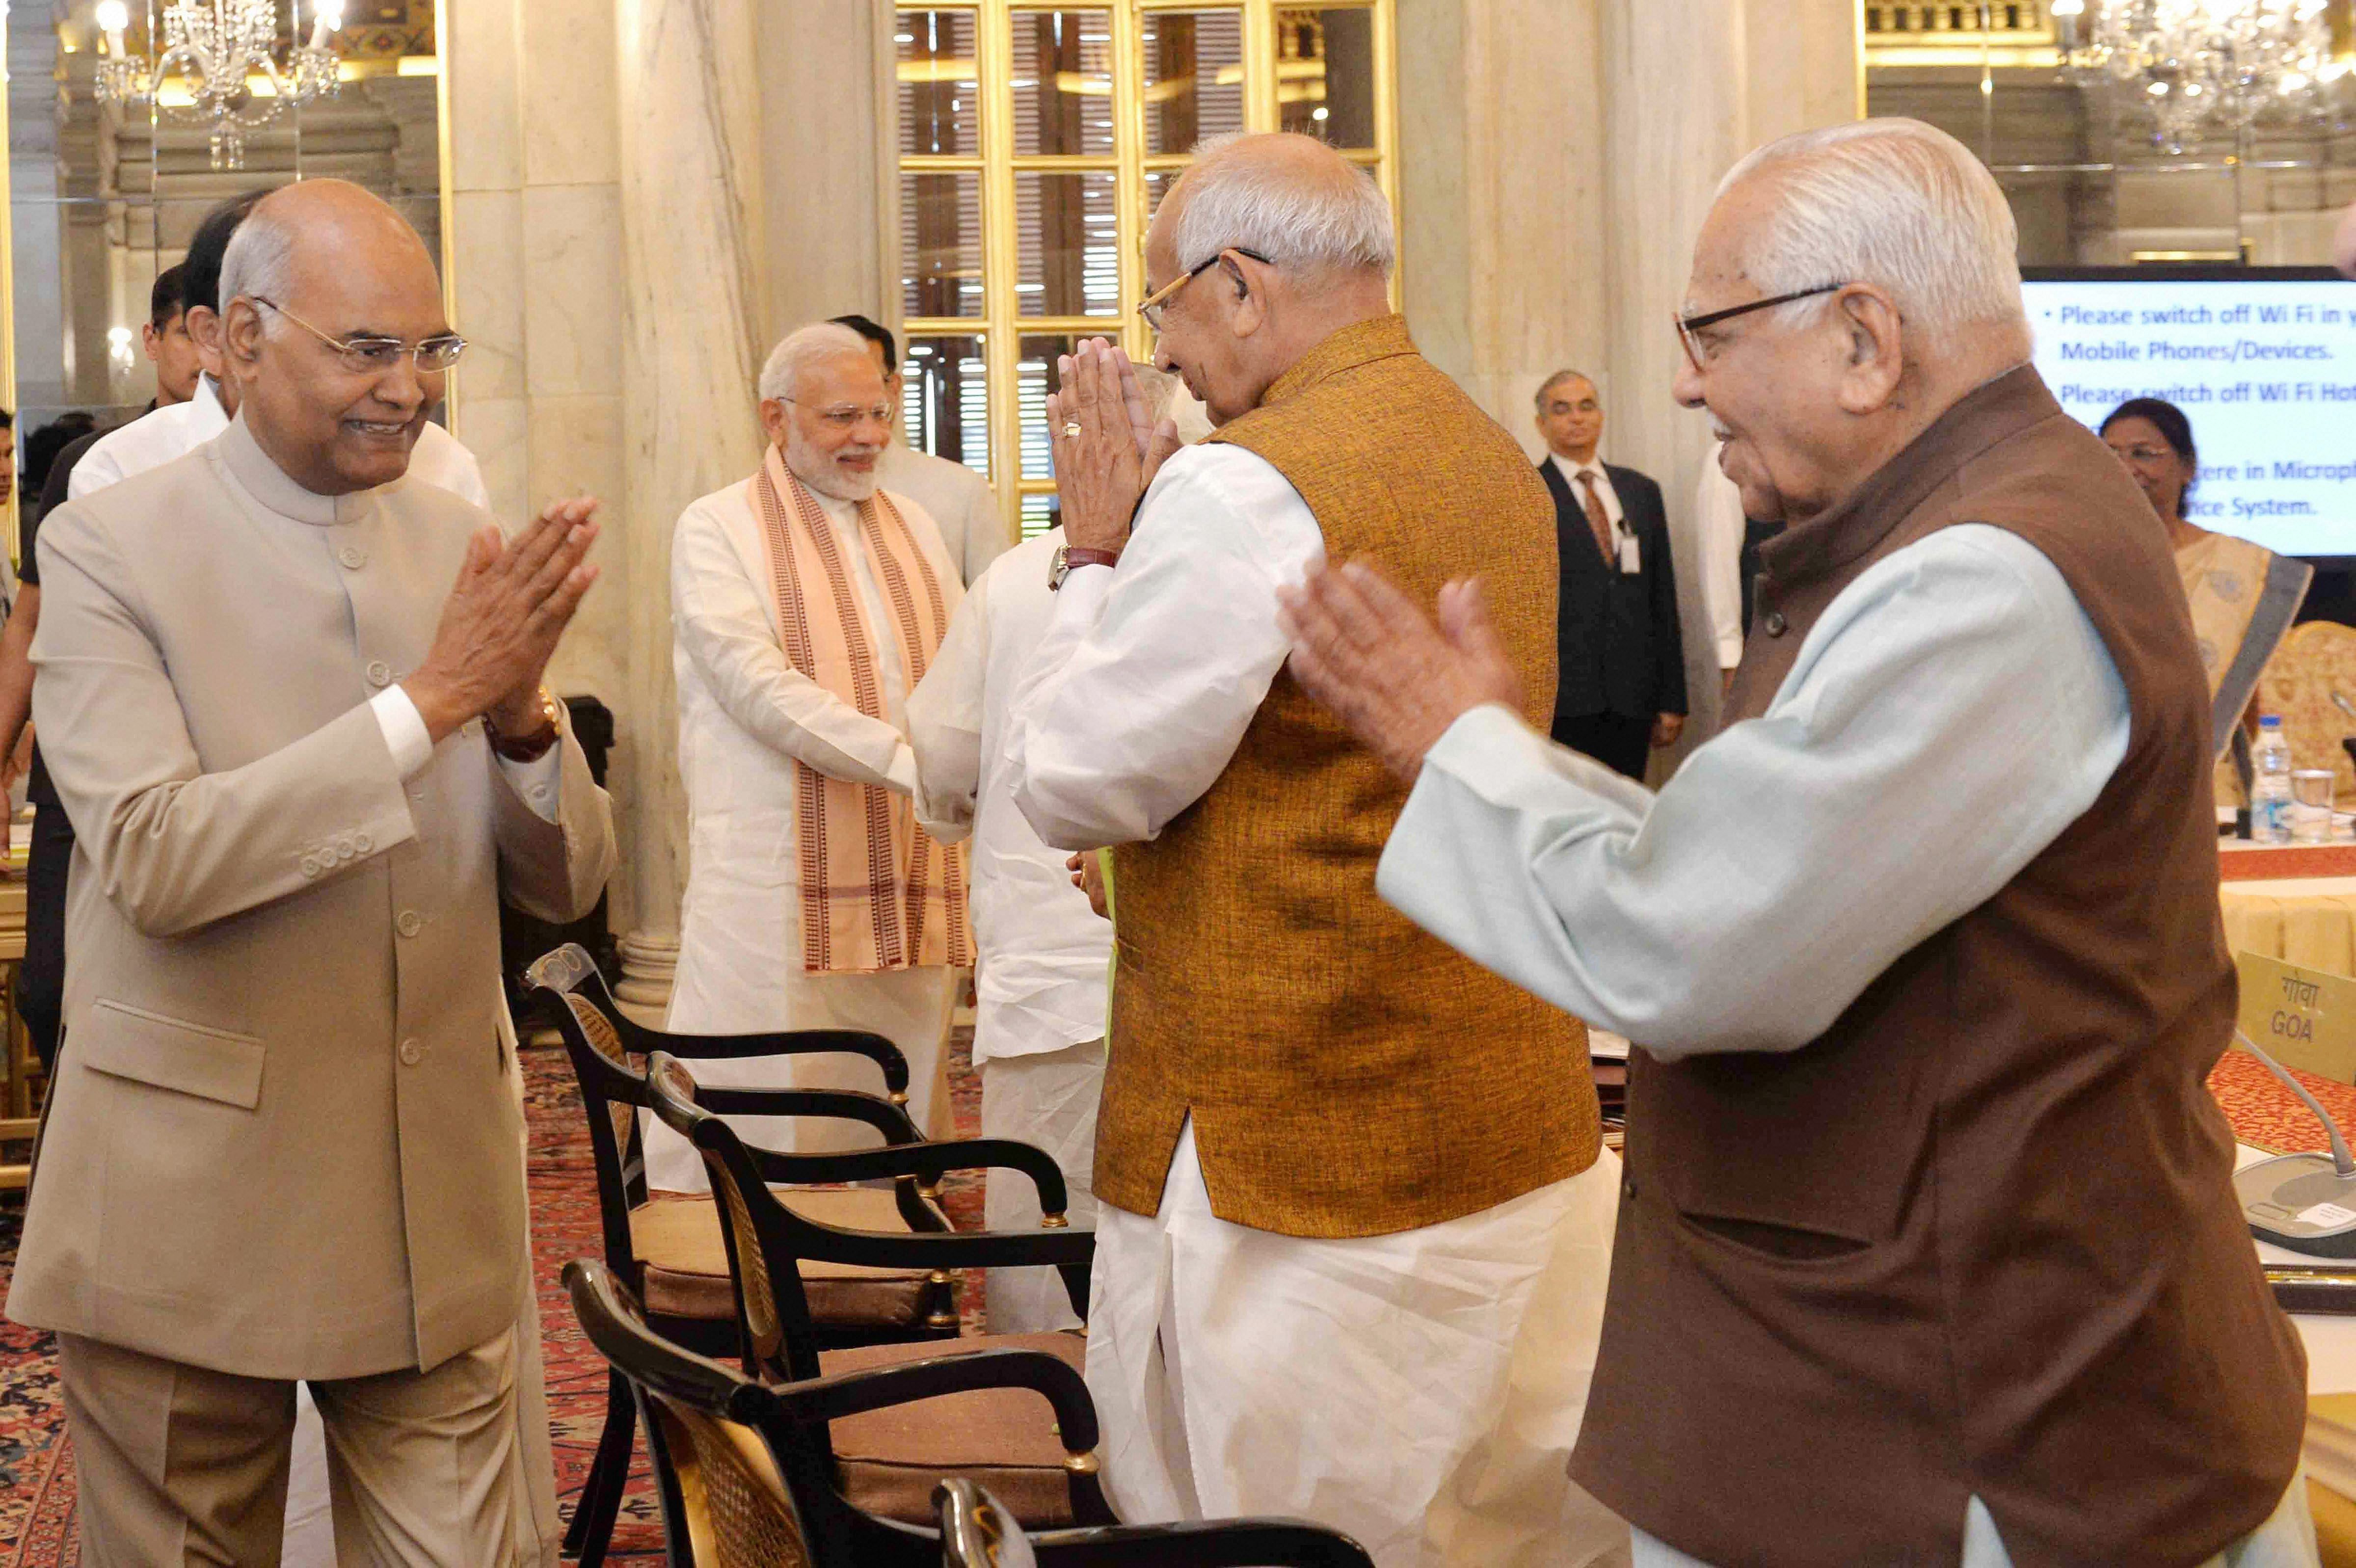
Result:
[[1928, 1247]]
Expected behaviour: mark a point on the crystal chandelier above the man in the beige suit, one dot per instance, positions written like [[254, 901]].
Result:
[[227, 58]]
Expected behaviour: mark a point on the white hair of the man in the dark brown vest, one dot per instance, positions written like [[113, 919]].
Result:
[[1895, 204]]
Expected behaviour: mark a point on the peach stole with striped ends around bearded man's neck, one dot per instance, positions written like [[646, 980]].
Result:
[[878, 891]]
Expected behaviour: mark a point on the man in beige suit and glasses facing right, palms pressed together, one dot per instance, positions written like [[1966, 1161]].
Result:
[[303, 766]]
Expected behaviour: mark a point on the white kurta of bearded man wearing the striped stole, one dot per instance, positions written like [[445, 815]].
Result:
[[746, 717]]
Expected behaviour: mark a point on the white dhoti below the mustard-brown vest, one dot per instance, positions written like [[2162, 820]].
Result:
[[1419, 1390]]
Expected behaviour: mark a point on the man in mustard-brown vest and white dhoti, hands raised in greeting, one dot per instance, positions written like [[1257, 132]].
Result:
[[1354, 1204]]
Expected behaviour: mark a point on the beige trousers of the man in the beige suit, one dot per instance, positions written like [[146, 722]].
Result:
[[185, 1466]]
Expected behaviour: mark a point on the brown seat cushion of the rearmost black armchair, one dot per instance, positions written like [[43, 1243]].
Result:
[[687, 1268]]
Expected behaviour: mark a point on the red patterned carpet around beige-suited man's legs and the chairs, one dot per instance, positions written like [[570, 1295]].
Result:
[[37, 1461]]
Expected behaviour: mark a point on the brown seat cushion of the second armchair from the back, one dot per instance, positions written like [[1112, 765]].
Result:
[[1002, 1440]]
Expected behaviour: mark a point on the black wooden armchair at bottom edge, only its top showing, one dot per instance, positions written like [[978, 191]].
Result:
[[979, 1534]]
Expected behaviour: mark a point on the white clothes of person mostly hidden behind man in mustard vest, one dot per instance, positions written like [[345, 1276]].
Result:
[[1040, 952]]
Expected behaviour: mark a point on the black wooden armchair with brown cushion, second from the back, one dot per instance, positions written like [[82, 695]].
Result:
[[889, 1461]]
